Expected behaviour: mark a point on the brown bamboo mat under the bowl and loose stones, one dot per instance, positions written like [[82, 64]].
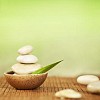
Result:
[[46, 91]]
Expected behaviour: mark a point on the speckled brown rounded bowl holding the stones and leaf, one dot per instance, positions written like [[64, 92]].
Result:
[[29, 81]]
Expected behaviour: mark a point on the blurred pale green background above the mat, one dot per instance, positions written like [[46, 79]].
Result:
[[57, 29]]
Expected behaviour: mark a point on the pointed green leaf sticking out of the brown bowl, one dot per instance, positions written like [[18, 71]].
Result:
[[46, 68]]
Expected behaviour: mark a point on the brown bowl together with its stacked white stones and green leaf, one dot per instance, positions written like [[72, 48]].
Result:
[[27, 73]]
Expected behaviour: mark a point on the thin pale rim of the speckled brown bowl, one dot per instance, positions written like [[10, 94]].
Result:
[[10, 73]]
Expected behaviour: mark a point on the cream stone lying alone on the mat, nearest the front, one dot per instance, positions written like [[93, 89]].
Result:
[[68, 93]]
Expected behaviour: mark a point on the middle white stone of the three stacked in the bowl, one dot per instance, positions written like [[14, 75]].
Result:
[[27, 59]]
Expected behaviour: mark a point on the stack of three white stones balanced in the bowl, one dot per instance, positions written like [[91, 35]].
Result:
[[27, 63]]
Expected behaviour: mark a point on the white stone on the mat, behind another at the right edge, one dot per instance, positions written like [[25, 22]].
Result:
[[86, 79]]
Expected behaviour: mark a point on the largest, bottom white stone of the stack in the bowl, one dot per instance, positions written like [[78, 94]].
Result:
[[25, 68]]
